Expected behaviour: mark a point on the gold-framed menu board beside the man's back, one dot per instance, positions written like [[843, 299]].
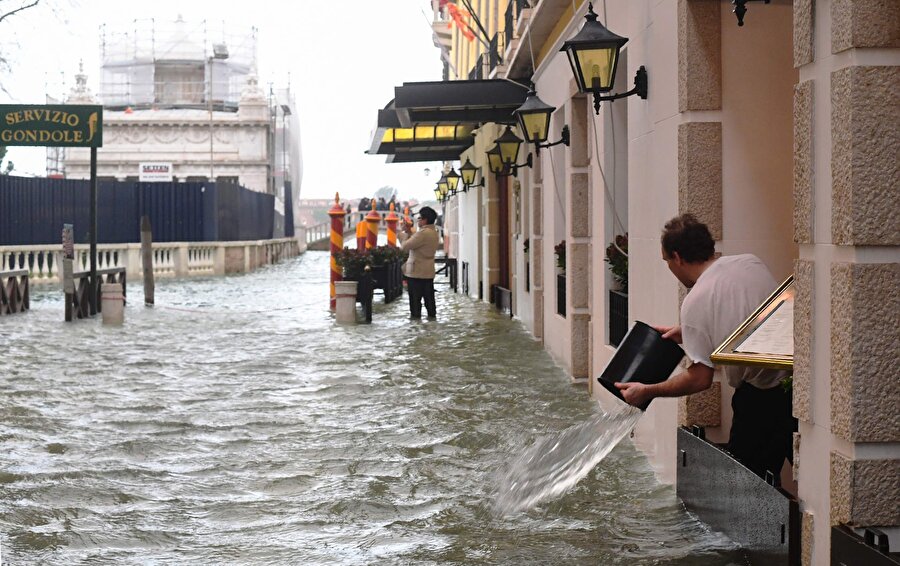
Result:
[[766, 338]]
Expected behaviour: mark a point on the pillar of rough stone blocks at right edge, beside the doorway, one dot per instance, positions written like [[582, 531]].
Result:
[[845, 177]]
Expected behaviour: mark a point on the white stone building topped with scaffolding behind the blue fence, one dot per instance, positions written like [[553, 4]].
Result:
[[186, 99]]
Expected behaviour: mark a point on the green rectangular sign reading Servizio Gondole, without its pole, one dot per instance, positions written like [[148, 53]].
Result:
[[53, 125]]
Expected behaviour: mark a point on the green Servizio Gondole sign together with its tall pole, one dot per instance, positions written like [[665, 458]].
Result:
[[60, 125]]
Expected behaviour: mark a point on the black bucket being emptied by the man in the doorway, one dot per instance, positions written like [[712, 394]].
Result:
[[643, 356]]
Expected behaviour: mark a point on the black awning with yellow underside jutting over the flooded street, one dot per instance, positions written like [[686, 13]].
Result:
[[433, 121]]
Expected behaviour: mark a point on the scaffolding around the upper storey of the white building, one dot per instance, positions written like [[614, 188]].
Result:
[[175, 65]]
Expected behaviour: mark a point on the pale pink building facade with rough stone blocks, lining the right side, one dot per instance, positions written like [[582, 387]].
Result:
[[781, 134]]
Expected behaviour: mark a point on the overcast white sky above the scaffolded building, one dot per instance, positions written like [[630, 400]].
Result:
[[344, 60]]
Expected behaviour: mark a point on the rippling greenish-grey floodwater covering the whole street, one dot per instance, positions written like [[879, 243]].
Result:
[[235, 423]]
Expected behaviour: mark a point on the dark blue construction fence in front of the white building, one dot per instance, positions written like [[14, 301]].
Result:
[[33, 211]]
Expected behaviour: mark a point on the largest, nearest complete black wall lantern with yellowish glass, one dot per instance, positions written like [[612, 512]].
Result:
[[594, 54]]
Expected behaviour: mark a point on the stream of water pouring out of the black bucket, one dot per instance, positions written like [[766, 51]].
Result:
[[556, 462]]
